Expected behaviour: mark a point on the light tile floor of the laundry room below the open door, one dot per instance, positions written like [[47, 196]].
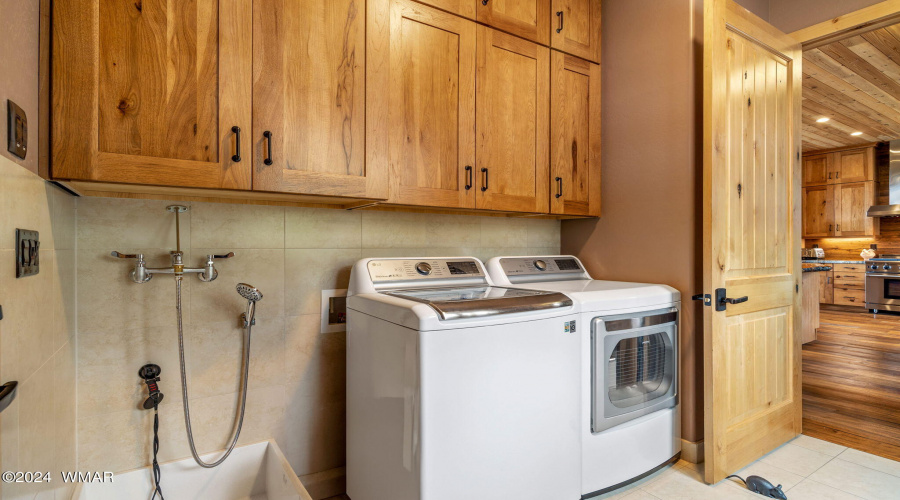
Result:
[[808, 468]]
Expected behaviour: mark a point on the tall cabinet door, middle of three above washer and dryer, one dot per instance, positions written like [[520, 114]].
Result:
[[513, 104]]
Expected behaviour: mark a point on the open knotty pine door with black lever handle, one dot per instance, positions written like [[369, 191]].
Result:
[[752, 82]]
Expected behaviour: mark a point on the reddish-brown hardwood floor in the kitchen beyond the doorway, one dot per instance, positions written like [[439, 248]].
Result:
[[851, 382]]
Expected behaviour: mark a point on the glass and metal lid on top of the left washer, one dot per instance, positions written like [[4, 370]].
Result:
[[482, 301]]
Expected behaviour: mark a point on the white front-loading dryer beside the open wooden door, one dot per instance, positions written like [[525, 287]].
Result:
[[630, 417]]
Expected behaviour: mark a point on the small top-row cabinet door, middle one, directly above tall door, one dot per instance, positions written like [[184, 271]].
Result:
[[528, 19]]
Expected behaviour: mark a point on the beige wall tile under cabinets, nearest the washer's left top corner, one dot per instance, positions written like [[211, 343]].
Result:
[[322, 228]]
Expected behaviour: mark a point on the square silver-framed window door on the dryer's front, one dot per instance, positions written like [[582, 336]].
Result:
[[633, 366]]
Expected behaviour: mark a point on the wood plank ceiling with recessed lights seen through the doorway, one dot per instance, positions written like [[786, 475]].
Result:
[[856, 83]]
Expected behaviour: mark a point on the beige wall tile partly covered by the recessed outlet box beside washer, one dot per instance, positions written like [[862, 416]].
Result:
[[308, 272]]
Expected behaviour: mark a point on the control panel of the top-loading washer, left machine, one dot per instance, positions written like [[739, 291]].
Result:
[[386, 270]]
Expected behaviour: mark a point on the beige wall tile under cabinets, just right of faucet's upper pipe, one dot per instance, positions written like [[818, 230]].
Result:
[[228, 226]]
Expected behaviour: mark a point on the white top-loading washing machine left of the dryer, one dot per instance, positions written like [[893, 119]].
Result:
[[458, 389]]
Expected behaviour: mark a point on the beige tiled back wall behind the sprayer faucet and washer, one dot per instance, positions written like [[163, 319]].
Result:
[[297, 374]]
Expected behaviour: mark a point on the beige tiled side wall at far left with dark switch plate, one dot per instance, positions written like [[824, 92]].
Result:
[[37, 333]]
